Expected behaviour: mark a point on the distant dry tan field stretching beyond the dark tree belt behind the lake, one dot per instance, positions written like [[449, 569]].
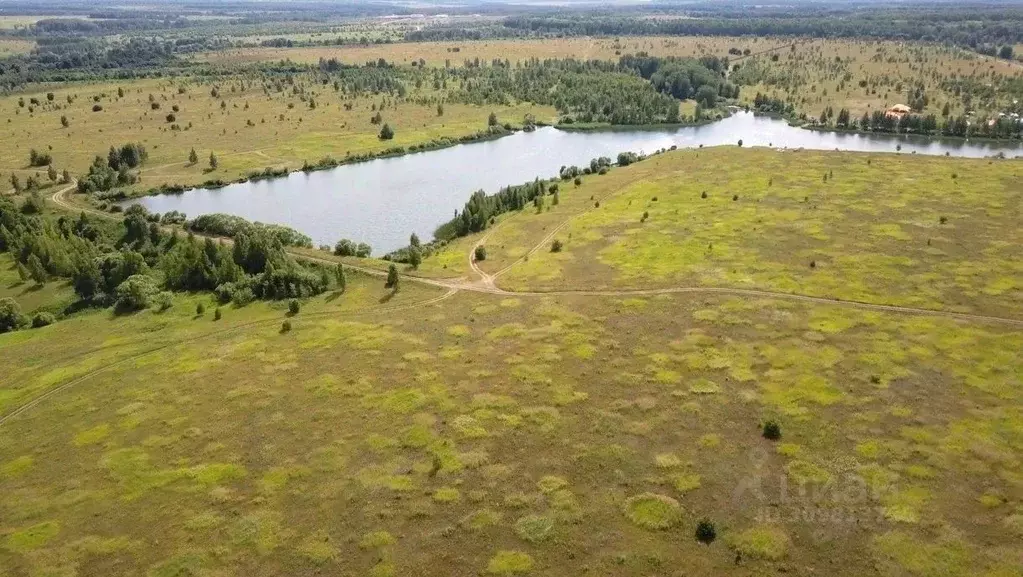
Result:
[[815, 73]]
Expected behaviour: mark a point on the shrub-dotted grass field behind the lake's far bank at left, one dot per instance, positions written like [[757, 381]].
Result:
[[251, 131]]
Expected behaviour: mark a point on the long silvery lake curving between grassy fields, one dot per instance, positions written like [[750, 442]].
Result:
[[383, 202]]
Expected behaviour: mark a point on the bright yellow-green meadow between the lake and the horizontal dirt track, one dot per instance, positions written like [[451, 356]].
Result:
[[929, 233]]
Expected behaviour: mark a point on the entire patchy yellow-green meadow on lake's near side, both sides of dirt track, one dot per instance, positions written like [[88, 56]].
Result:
[[430, 432]]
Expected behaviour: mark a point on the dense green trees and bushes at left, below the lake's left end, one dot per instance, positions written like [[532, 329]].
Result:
[[134, 263]]
